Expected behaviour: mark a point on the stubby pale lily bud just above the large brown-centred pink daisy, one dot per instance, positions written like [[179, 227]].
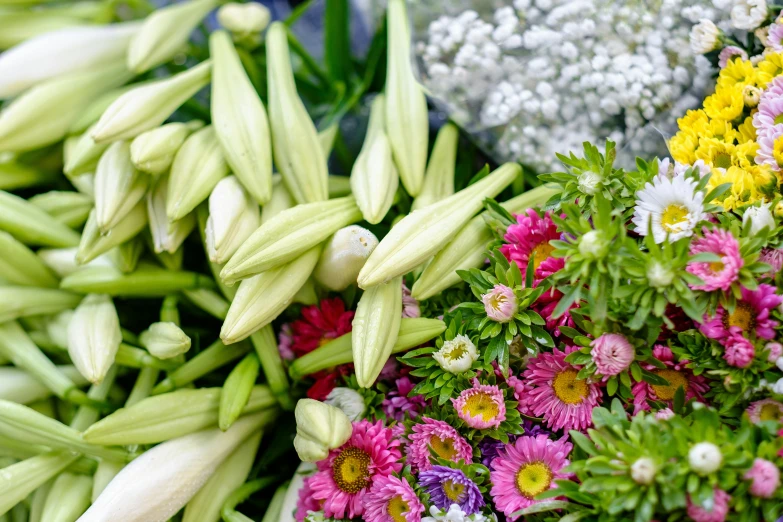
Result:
[[319, 428]]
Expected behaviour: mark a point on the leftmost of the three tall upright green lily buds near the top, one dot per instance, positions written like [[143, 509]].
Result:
[[240, 121]]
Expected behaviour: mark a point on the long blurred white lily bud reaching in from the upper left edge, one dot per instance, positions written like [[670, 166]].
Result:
[[61, 52]]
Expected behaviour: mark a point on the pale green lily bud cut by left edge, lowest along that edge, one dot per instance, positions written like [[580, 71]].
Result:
[[19, 480]]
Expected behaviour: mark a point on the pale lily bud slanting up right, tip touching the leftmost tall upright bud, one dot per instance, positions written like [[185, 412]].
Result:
[[147, 106]]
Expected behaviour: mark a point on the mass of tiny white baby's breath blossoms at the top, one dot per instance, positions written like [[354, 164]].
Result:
[[543, 76]]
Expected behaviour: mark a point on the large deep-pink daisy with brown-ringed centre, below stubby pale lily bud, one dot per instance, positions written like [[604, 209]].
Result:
[[345, 476]]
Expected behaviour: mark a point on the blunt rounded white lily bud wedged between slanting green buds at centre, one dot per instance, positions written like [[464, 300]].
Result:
[[344, 256]]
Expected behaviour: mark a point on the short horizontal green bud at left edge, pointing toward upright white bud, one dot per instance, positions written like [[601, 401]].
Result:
[[23, 301]]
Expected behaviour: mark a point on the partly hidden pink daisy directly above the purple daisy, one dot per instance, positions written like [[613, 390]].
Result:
[[442, 438]]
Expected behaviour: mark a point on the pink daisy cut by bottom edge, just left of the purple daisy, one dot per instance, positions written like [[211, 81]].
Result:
[[391, 499]]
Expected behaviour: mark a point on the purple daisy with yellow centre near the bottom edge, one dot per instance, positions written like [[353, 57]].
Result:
[[448, 486]]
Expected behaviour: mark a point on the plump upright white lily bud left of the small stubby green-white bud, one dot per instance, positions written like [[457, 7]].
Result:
[[94, 337]]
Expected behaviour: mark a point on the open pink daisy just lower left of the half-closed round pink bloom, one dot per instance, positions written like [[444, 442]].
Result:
[[554, 393]]
